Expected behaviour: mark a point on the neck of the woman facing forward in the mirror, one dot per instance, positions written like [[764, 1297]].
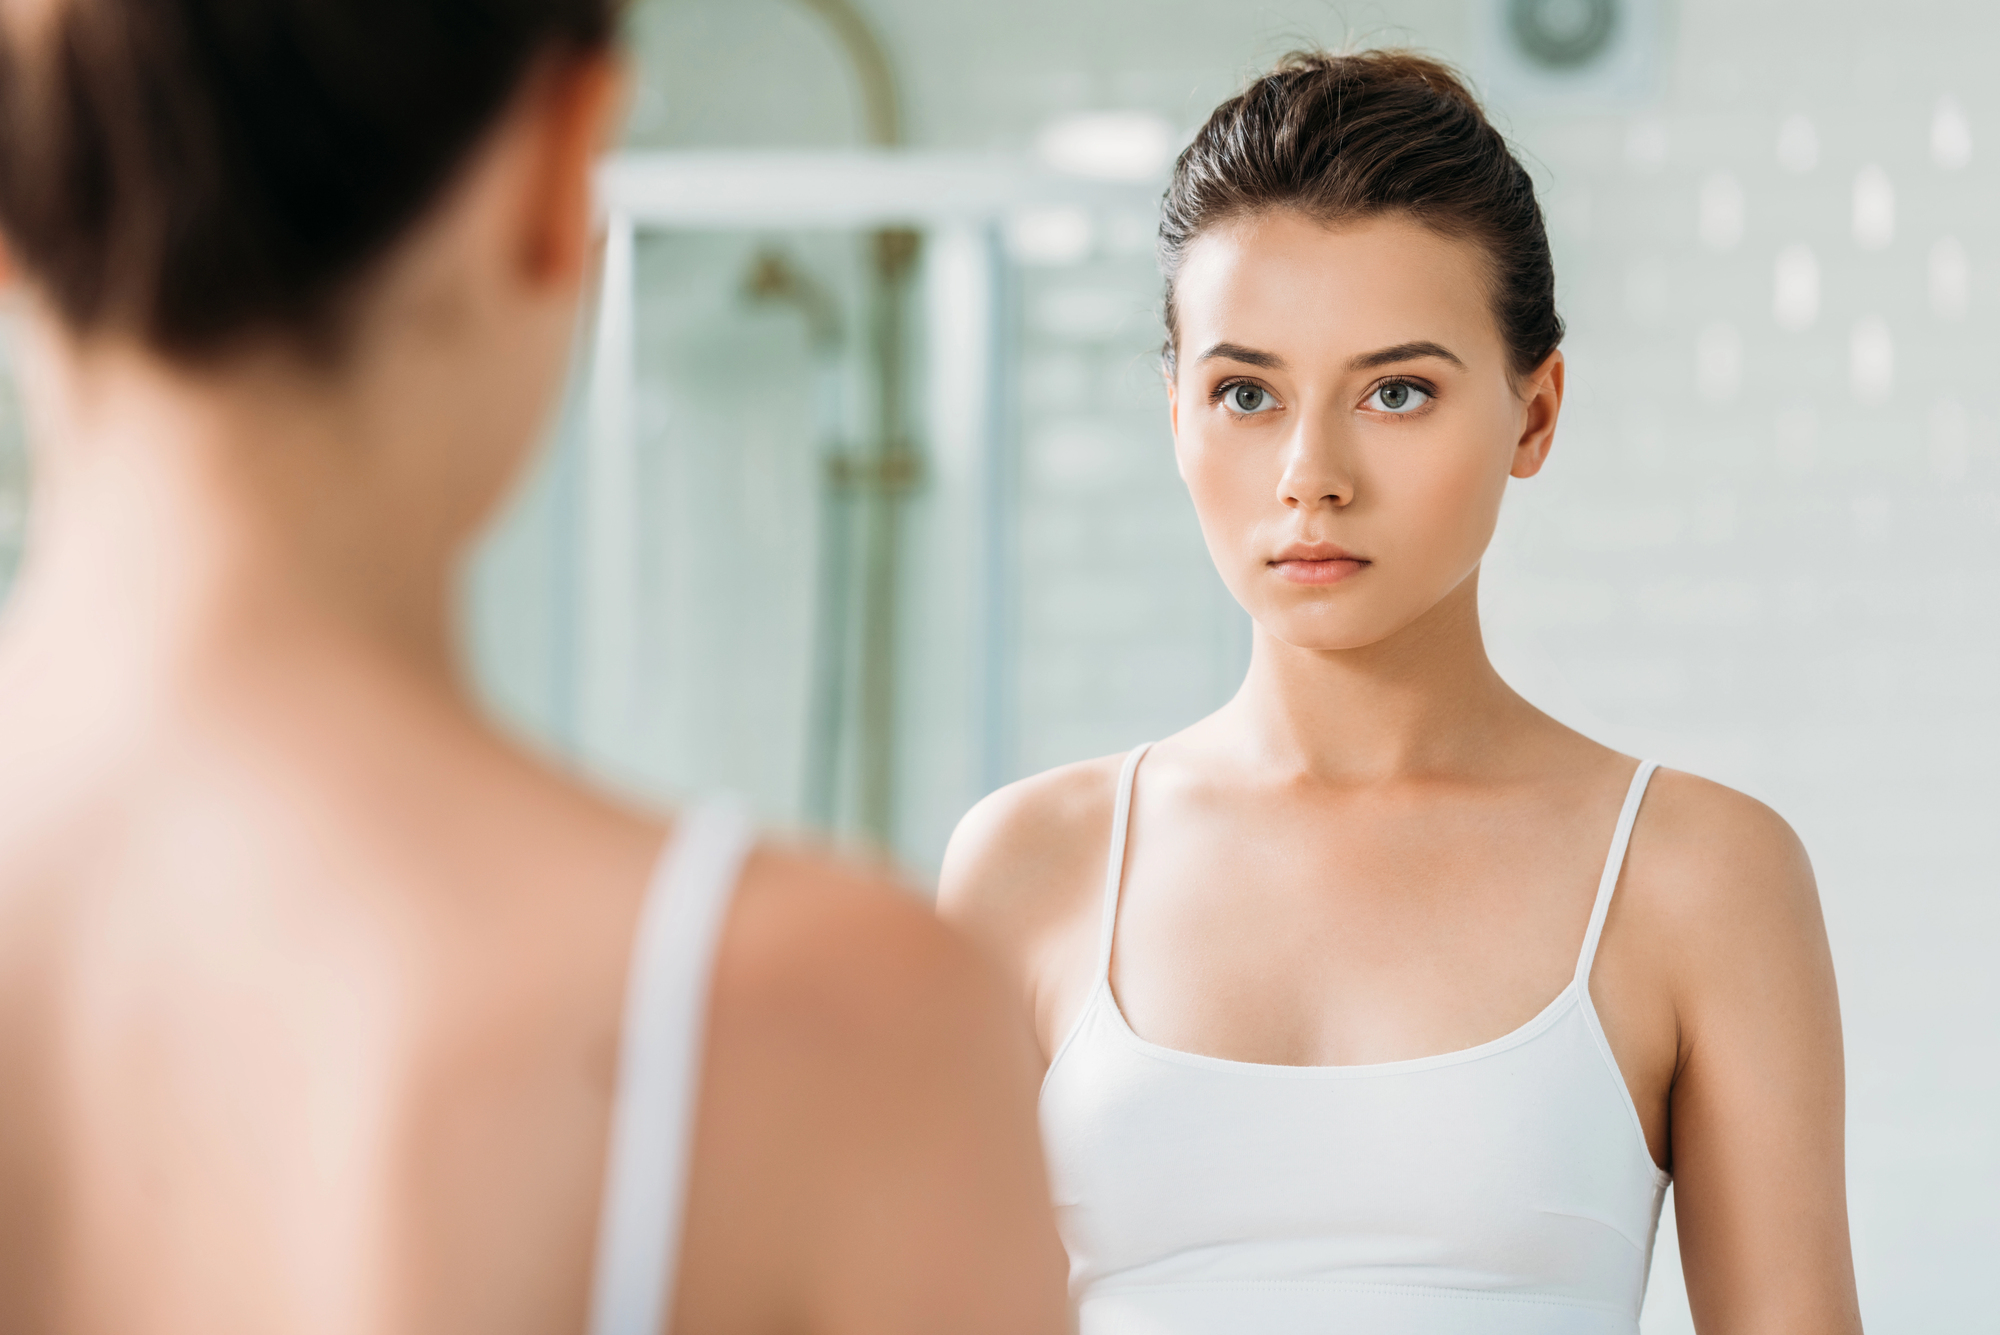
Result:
[[1423, 700]]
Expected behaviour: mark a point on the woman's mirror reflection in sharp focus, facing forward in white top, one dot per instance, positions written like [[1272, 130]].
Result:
[[1379, 1000]]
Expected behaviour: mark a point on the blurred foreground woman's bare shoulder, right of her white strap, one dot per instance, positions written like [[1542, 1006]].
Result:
[[867, 1128]]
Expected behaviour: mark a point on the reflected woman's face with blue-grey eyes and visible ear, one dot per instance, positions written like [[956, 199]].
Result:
[[1345, 421]]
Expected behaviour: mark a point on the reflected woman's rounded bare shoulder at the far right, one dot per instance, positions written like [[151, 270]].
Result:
[[1719, 880]]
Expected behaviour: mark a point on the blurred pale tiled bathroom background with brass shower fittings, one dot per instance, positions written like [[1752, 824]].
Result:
[[865, 503]]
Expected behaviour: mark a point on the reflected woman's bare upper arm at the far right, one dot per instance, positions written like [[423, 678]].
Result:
[[1759, 1096]]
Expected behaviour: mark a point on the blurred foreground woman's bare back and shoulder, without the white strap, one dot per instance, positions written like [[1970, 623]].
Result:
[[311, 1002]]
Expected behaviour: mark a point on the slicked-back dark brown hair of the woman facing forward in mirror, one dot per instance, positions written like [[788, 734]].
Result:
[[1353, 137]]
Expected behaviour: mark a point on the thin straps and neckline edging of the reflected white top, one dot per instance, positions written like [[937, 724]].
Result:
[[1577, 992]]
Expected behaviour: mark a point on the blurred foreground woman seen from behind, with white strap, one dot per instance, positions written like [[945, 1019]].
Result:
[[323, 1008]]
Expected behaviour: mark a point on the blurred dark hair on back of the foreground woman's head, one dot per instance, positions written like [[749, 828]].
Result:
[[197, 171]]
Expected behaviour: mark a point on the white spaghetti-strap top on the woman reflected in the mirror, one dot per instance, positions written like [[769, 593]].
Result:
[[1497, 1190]]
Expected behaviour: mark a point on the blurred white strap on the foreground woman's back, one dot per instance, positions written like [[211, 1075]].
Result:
[[659, 1068]]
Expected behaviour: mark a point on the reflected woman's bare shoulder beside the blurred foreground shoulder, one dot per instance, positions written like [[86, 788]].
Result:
[[1029, 856]]
